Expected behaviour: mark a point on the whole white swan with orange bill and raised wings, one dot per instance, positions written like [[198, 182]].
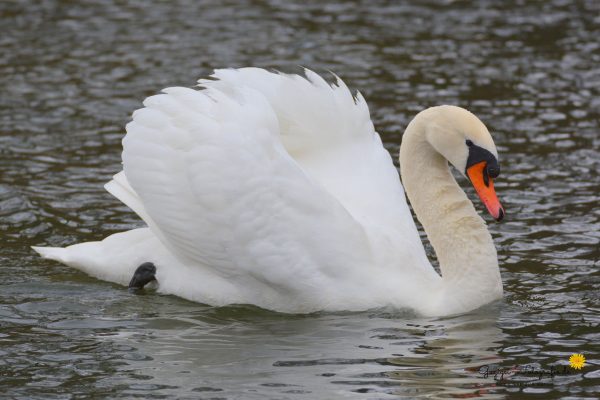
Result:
[[275, 190]]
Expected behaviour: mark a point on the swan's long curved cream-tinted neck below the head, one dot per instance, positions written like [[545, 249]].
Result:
[[459, 236]]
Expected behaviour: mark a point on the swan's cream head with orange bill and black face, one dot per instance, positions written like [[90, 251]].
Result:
[[466, 143]]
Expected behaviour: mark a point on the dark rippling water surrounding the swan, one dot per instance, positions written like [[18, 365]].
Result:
[[71, 74]]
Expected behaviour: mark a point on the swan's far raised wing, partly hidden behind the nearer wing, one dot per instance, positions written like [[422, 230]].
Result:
[[329, 132]]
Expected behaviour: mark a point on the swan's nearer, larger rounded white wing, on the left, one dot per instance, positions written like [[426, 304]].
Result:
[[221, 190]]
